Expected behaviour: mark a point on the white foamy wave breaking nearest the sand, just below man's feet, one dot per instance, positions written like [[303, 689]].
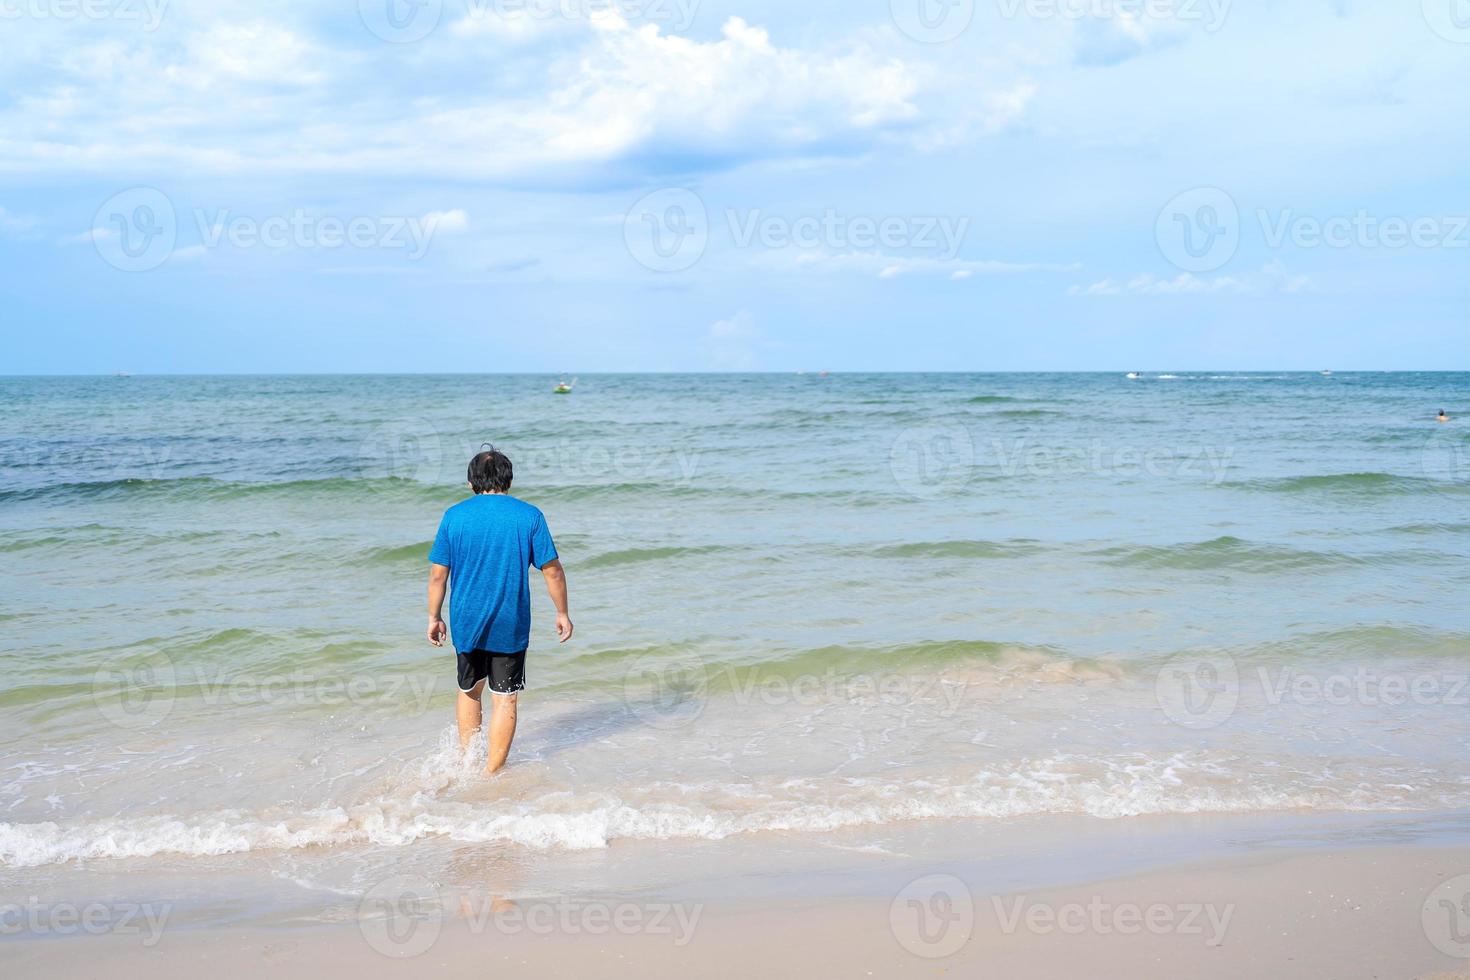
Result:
[[1112, 787]]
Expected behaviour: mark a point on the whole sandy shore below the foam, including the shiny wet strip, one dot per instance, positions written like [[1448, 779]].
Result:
[[1300, 896]]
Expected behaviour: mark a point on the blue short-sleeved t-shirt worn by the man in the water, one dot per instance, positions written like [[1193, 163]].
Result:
[[487, 543]]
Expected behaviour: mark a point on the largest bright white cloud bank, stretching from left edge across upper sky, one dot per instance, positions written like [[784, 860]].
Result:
[[623, 93]]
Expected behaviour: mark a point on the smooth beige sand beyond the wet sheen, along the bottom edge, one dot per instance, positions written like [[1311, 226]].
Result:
[[1355, 913]]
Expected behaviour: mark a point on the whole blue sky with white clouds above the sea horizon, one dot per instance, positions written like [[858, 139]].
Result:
[[578, 186]]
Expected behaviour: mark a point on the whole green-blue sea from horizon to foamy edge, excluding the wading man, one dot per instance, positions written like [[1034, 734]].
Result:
[[806, 606]]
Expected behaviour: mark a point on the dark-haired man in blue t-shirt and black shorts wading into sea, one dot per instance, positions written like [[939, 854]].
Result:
[[484, 552]]
